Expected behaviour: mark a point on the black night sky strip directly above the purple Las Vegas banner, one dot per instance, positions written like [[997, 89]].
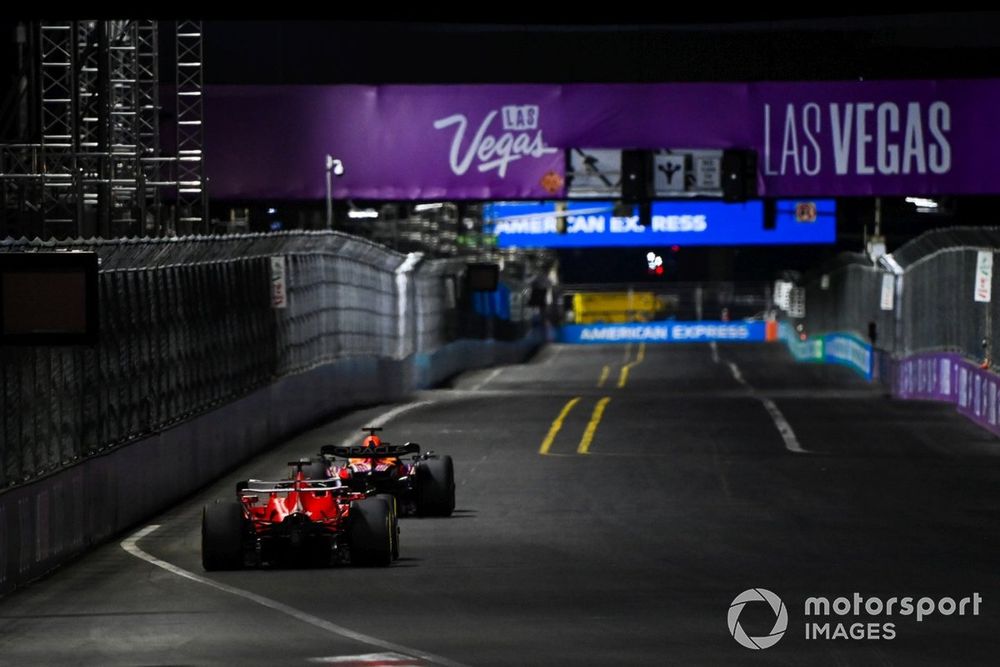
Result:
[[691, 47]]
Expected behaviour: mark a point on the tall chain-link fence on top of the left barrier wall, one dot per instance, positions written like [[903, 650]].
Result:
[[188, 324]]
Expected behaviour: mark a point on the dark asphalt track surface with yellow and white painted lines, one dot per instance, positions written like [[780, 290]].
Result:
[[628, 554]]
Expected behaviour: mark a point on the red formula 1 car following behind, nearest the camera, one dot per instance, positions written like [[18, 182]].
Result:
[[322, 521]]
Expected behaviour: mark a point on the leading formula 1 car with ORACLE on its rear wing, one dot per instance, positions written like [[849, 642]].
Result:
[[423, 485]]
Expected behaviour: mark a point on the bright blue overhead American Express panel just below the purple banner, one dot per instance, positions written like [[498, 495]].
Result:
[[685, 223]]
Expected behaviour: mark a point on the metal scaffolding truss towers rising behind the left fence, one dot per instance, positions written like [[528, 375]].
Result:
[[92, 165]]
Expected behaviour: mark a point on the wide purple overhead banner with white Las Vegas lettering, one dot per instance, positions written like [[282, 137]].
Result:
[[508, 141]]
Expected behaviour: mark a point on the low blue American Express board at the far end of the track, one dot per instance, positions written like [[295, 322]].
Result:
[[664, 332]]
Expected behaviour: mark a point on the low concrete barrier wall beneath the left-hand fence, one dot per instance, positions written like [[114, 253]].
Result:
[[45, 523]]
